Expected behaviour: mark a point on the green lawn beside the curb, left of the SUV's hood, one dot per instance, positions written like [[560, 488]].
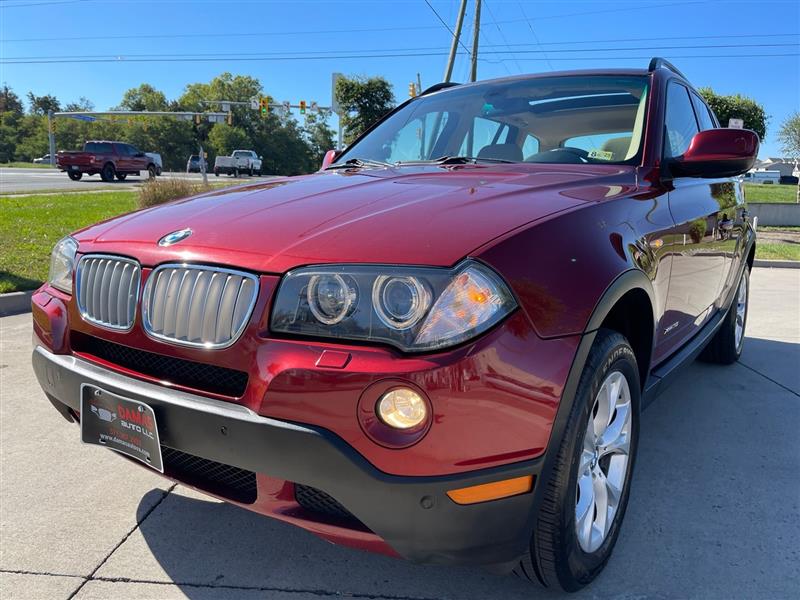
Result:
[[31, 225]]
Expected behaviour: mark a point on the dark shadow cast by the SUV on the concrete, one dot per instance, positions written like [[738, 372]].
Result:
[[710, 514]]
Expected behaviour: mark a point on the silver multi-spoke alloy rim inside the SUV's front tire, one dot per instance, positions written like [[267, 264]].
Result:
[[604, 462]]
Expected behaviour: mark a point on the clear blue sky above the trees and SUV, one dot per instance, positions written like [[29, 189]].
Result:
[[517, 36]]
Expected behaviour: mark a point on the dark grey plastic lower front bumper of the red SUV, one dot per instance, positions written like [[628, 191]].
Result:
[[413, 515]]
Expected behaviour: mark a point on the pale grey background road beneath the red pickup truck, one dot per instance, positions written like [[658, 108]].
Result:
[[50, 180]]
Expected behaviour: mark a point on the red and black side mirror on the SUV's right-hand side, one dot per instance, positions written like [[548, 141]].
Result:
[[717, 153]]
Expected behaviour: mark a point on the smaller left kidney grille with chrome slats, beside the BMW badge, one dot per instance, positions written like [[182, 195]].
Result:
[[108, 290]]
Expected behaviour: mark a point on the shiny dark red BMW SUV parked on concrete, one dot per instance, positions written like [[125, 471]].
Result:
[[438, 346]]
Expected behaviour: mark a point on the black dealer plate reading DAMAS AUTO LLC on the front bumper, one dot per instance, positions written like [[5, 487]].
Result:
[[125, 425]]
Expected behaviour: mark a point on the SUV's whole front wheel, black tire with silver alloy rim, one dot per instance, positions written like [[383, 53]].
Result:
[[558, 555]]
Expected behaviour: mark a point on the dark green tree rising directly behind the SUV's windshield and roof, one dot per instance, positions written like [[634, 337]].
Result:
[[363, 101]]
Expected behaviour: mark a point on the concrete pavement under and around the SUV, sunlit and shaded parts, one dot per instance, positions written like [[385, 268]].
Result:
[[714, 512]]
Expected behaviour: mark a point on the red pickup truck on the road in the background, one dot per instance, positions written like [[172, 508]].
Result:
[[109, 159]]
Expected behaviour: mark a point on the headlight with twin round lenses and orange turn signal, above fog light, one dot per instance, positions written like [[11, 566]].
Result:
[[412, 308]]
